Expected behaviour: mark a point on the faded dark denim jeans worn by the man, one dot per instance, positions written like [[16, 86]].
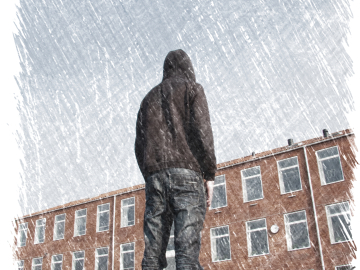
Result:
[[178, 195]]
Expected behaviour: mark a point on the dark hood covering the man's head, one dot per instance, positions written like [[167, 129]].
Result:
[[178, 64]]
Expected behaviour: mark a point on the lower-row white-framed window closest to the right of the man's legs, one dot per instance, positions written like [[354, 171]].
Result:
[[220, 244]]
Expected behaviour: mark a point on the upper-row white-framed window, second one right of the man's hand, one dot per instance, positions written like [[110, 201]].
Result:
[[252, 185]]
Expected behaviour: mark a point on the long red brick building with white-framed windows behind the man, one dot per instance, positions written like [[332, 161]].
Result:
[[287, 208]]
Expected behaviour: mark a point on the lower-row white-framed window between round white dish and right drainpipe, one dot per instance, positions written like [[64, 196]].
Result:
[[297, 233]]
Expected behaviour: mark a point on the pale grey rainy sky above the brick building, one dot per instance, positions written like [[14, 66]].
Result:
[[271, 71]]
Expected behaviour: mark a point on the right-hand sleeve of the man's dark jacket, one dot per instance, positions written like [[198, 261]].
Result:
[[201, 136]]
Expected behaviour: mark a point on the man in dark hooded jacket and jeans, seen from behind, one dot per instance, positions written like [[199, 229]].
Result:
[[174, 149]]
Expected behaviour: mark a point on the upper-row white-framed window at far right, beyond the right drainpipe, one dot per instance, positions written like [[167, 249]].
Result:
[[329, 165]]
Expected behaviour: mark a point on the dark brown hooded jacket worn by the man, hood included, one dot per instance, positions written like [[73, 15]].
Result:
[[173, 127]]
